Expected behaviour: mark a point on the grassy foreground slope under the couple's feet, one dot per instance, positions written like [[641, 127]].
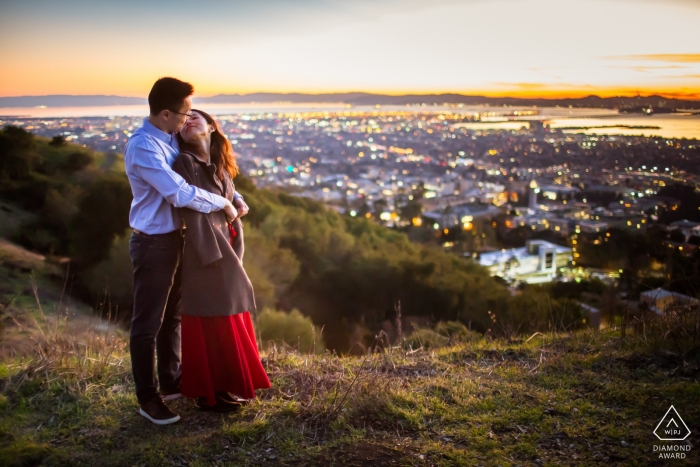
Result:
[[555, 400]]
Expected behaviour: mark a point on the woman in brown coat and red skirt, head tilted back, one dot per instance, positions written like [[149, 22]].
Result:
[[220, 361]]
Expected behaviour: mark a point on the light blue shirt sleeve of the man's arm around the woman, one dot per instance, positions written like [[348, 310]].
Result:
[[154, 170]]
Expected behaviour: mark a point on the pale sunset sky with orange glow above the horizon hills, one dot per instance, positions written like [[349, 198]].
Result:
[[521, 48]]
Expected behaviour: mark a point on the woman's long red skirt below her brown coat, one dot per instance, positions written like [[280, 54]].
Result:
[[220, 353]]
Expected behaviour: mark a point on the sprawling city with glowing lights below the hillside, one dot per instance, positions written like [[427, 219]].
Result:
[[467, 190]]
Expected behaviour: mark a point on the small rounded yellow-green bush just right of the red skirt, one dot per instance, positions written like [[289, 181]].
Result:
[[291, 328]]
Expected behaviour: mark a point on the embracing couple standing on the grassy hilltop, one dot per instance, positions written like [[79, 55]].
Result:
[[191, 293]]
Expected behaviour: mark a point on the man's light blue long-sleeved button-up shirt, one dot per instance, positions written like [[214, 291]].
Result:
[[149, 156]]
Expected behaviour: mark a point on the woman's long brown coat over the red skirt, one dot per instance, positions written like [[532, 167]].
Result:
[[214, 282]]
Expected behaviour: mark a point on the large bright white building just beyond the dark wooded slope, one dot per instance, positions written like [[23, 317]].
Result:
[[534, 263]]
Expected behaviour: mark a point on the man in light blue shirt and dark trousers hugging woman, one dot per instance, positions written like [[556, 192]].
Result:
[[156, 245]]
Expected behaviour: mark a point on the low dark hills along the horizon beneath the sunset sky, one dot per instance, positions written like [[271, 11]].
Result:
[[359, 98]]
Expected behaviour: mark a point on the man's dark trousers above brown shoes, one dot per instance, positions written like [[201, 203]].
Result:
[[155, 325]]
